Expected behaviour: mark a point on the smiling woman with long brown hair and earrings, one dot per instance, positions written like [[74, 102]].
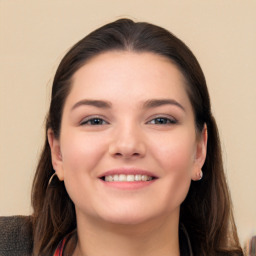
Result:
[[132, 161]]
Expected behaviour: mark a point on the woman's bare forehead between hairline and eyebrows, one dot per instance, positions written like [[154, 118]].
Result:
[[122, 75]]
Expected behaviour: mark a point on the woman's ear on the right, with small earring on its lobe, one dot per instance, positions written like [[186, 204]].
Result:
[[200, 156]]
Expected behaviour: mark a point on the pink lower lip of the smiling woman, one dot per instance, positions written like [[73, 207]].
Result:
[[132, 185]]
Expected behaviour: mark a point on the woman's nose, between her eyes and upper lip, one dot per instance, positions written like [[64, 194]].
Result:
[[128, 142]]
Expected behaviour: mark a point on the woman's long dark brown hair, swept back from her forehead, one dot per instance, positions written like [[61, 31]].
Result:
[[206, 212]]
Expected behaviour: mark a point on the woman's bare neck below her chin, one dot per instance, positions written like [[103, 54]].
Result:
[[152, 238]]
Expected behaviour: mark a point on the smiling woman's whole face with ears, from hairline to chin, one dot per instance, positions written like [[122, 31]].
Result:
[[128, 148]]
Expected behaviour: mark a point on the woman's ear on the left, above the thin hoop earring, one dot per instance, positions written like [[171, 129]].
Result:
[[57, 162]]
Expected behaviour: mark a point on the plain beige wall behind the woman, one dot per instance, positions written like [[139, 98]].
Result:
[[34, 35]]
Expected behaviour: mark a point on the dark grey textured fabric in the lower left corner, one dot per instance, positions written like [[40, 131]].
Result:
[[16, 236]]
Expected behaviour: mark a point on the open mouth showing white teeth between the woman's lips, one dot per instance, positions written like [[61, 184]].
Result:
[[128, 178]]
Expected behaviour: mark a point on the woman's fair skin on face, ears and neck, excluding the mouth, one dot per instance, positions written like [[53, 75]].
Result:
[[115, 221]]
